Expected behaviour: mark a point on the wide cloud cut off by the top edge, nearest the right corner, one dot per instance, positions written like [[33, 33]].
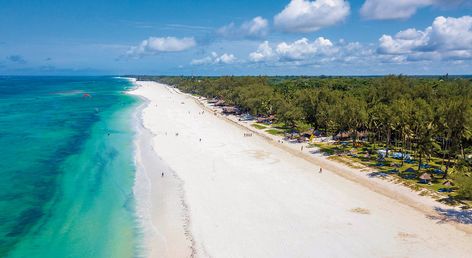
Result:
[[399, 9]]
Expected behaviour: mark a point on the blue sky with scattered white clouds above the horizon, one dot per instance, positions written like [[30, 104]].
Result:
[[235, 37]]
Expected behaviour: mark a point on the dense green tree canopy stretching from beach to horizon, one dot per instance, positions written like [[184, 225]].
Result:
[[425, 116]]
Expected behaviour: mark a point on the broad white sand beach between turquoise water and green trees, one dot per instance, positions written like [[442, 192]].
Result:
[[227, 195]]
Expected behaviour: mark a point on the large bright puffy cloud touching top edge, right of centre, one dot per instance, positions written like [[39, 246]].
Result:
[[309, 16]]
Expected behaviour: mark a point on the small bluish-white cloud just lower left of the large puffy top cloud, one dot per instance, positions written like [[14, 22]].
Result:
[[256, 28]]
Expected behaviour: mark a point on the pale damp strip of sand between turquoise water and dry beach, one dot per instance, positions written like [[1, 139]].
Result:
[[160, 205]]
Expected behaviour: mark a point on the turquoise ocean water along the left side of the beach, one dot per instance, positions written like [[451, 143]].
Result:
[[67, 167]]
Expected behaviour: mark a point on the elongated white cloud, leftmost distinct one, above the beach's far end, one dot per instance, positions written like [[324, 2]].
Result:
[[155, 45]]
